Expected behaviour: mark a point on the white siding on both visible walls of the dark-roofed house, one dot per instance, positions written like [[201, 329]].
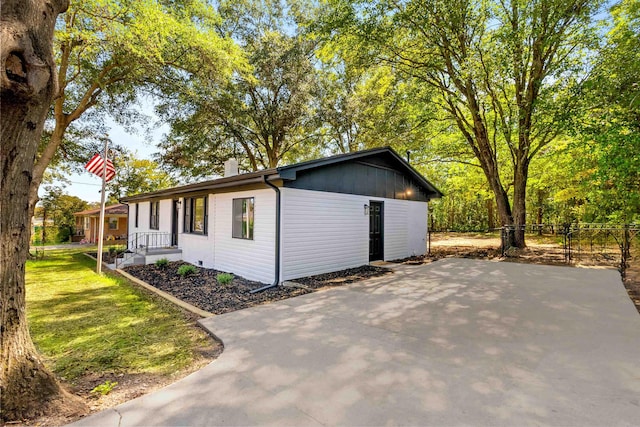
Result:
[[321, 232]]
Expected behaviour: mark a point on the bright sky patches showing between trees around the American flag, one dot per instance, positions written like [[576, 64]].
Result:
[[86, 185]]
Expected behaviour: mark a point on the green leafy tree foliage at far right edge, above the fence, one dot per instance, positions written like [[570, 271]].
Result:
[[607, 132]]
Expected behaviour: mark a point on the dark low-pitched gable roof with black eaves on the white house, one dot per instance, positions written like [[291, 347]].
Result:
[[289, 173]]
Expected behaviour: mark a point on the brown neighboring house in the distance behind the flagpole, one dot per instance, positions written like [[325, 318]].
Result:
[[88, 221]]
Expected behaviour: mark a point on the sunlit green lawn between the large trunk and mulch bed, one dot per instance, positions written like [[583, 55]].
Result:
[[83, 323]]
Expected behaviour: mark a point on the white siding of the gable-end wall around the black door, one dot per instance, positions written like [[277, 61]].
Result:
[[324, 232]]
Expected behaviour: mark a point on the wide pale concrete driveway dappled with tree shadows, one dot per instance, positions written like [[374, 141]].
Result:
[[456, 342]]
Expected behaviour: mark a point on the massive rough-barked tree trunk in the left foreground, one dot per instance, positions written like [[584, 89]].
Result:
[[27, 85]]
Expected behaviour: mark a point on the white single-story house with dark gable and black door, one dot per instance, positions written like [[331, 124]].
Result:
[[292, 221]]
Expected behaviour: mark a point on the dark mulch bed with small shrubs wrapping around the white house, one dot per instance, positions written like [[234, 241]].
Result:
[[203, 290]]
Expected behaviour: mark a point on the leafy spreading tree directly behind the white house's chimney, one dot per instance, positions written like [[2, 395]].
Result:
[[262, 115]]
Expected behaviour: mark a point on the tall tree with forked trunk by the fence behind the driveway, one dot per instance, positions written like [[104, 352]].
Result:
[[503, 71]]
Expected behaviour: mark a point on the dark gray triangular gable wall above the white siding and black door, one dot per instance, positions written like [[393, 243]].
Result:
[[374, 177]]
